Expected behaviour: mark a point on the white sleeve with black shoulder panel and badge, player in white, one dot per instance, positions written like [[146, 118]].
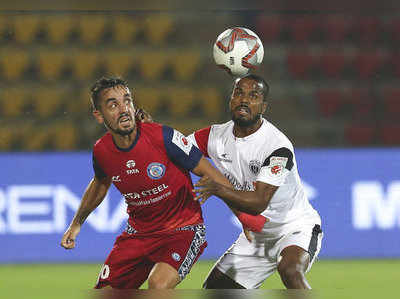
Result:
[[276, 167]]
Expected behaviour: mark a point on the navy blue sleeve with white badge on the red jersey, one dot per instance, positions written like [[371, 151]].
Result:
[[180, 150]]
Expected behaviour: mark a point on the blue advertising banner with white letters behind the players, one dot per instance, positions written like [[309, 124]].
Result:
[[356, 192]]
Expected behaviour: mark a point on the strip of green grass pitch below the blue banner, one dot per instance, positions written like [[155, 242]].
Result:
[[357, 278]]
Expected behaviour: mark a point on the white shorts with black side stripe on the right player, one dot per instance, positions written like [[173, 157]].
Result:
[[249, 264]]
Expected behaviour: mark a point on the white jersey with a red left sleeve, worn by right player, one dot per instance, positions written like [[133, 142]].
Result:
[[267, 156]]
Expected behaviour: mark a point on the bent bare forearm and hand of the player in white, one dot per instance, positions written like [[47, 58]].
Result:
[[251, 202]]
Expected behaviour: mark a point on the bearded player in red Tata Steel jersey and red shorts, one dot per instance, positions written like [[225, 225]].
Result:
[[149, 164]]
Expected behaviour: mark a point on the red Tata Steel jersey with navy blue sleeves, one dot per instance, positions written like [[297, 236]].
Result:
[[153, 176]]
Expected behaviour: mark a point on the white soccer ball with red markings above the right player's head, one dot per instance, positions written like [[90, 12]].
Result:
[[238, 50]]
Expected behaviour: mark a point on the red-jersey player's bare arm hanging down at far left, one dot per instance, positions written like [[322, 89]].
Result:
[[93, 196]]
